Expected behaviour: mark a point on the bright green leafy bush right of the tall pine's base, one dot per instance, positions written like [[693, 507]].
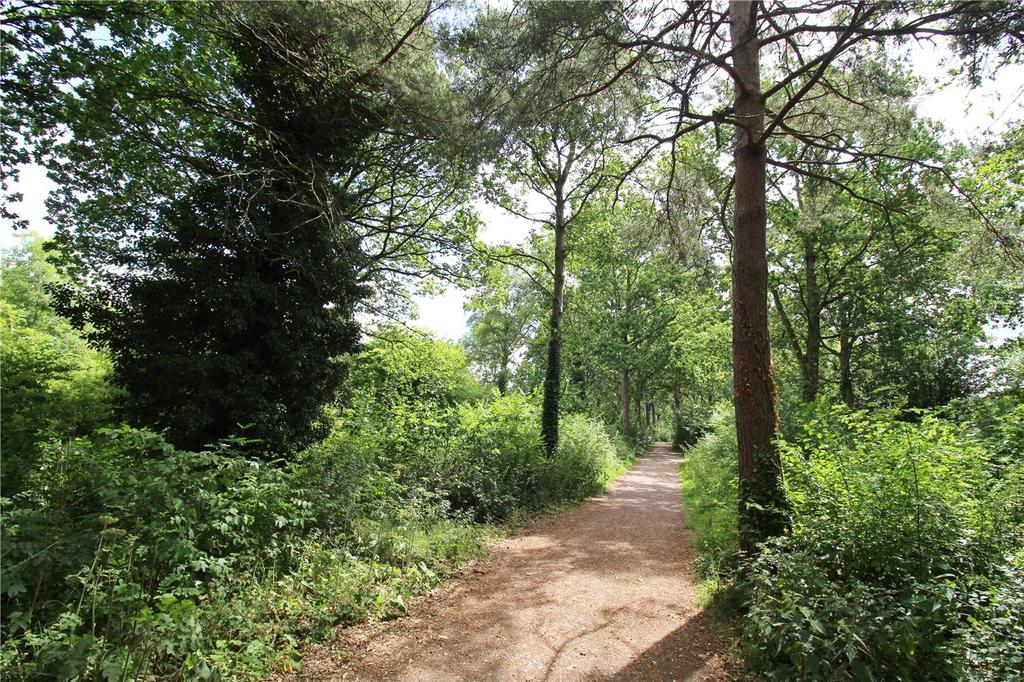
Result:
[[891, 569]]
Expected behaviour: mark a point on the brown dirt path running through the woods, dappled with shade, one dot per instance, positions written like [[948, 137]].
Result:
[[605, 591]]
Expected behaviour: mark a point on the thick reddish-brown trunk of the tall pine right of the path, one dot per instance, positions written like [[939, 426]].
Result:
[[762, 500]]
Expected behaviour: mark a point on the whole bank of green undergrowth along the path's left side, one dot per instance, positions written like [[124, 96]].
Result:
[[125, 558]]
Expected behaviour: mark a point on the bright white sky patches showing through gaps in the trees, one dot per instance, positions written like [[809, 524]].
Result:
[[967, 115]]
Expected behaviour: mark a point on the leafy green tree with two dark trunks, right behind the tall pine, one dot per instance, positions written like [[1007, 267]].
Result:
[[826, 238]]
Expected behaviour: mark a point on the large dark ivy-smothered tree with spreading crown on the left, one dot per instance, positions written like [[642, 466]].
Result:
[[237, 181]]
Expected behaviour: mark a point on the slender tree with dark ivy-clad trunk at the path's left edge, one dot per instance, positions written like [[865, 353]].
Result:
[[560, 152]]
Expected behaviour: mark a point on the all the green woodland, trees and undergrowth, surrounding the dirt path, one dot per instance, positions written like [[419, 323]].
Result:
[[226, 436]]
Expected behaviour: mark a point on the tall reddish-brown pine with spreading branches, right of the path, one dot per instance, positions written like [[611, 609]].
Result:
[[686, 48]]
